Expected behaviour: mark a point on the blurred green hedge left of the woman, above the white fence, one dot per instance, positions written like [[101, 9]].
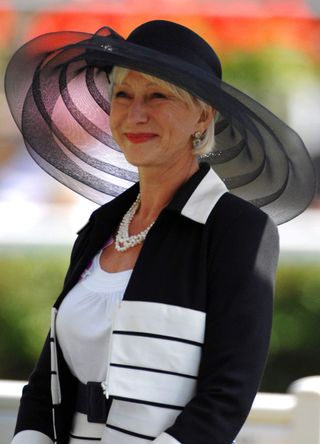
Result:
[[29, 284]]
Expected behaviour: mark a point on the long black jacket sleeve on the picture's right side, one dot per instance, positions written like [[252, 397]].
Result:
[[238, 325]]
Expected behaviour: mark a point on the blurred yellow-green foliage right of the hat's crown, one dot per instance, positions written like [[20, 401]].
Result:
[[271, 75]]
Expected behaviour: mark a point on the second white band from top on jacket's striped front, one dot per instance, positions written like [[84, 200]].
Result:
[[161, 354]]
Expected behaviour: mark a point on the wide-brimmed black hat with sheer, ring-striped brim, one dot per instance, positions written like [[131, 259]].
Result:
[[57, 90]]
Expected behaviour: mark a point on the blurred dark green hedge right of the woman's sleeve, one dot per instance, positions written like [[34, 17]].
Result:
[[295, 341]]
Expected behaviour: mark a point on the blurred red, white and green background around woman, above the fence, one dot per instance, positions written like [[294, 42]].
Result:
[[271, 50]]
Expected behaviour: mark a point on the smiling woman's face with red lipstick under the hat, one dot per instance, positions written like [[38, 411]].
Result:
[[152, 126]]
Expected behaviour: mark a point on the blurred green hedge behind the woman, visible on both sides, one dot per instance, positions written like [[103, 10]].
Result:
[[29, 284]]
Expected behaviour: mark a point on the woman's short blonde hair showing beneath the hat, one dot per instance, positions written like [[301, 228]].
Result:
[[118, 74]]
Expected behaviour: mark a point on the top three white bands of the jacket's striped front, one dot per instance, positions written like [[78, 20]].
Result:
[[158, 346]]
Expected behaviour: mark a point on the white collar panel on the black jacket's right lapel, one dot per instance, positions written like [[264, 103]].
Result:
[[204, 197]]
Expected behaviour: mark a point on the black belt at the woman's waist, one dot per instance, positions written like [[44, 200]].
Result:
[[92, 402]]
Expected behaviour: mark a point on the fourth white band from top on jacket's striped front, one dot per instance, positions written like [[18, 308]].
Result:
[[146, 419]]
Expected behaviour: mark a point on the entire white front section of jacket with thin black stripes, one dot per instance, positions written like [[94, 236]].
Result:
[[156, 351]]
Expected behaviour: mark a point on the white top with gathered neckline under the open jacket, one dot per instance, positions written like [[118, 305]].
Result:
[[84, 320]]
